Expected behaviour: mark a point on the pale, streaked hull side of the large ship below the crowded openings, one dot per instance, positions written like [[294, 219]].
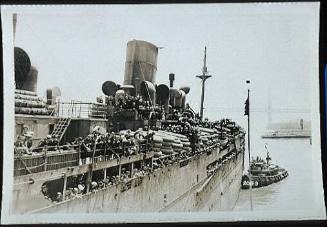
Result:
[[172, 188]]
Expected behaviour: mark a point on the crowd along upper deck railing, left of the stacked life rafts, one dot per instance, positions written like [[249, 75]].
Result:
[[119, 144]]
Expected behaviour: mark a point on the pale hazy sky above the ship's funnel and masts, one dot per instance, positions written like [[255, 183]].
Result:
[[273, 45]]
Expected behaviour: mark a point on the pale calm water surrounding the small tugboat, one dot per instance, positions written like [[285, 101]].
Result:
[[295, 155]]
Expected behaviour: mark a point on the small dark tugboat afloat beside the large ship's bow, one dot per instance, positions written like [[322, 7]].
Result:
[[263, 173]]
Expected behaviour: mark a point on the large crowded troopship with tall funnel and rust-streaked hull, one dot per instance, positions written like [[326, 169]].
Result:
[[137, 148]]
